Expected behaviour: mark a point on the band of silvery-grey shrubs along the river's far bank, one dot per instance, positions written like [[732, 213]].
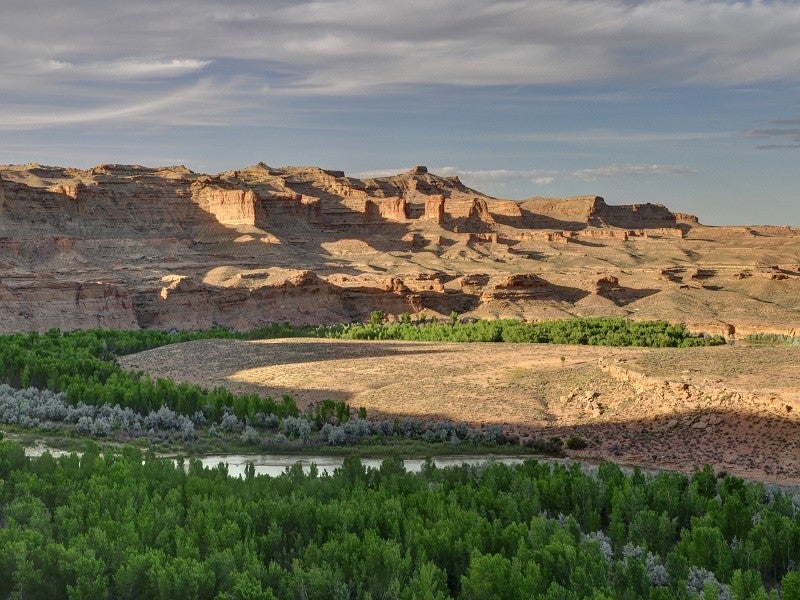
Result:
[[325, 424]]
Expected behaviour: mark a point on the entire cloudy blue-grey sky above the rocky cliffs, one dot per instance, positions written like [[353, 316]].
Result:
[[694, 104]]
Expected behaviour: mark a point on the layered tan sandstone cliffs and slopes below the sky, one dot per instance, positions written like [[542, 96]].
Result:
[[129, 246]]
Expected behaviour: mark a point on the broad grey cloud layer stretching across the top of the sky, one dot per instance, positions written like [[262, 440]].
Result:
[[345, 47]]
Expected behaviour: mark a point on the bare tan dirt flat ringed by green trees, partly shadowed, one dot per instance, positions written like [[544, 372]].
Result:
[[735, 407]]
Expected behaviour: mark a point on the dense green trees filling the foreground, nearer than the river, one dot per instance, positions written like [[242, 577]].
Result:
[[129, 525]]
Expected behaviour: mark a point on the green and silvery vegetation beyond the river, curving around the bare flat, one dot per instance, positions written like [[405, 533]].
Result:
[[72, 382]]
